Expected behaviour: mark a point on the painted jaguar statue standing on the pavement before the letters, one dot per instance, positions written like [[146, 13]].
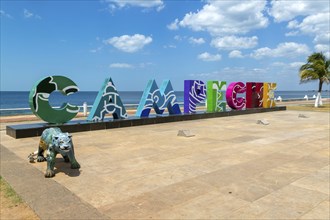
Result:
[[54, 142]]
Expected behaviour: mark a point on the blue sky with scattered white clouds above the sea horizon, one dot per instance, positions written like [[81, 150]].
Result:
[[133, 41]]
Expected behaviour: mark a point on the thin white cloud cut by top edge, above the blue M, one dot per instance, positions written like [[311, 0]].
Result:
[[148, 4]]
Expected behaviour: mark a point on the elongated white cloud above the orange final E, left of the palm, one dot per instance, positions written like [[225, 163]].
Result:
[[287, 49]]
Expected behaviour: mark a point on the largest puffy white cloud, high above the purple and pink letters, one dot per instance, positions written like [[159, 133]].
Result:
[[221, 18]]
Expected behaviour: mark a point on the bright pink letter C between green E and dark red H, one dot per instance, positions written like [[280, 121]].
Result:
[[233, 101]]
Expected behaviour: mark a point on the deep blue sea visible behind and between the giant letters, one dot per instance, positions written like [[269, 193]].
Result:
[[17, 103]]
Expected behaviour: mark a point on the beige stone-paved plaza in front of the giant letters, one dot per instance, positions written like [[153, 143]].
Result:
[[233, 168]]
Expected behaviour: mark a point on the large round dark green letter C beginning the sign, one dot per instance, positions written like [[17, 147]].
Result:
[[39, 102]]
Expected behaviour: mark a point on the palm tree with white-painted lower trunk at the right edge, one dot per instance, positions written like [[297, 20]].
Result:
[[316, 68]]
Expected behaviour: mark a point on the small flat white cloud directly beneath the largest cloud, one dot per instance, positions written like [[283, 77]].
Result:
[[233, 42]]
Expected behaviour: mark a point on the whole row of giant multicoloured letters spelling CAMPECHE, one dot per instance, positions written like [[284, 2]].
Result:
[[108, 101]]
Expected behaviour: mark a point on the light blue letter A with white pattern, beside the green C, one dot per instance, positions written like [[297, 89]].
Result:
[[107, 102]]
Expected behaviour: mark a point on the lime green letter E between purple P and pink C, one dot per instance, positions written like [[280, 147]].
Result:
[[216, 96]]
